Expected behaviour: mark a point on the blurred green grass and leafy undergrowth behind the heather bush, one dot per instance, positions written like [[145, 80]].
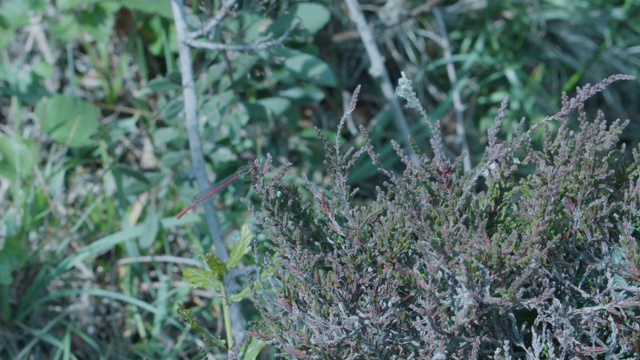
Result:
[[94, 160]]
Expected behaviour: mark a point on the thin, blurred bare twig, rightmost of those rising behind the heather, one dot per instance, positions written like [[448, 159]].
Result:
[[455, 92]]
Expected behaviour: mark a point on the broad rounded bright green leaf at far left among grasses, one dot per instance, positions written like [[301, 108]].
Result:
[[68, 120]]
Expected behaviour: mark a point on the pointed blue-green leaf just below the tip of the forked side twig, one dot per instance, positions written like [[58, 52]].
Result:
[[304, 66]]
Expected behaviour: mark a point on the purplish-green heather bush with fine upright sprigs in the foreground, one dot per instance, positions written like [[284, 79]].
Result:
[[488, 264]]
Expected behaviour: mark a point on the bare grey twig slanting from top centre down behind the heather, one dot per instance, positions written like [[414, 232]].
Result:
[[379, 72]]
